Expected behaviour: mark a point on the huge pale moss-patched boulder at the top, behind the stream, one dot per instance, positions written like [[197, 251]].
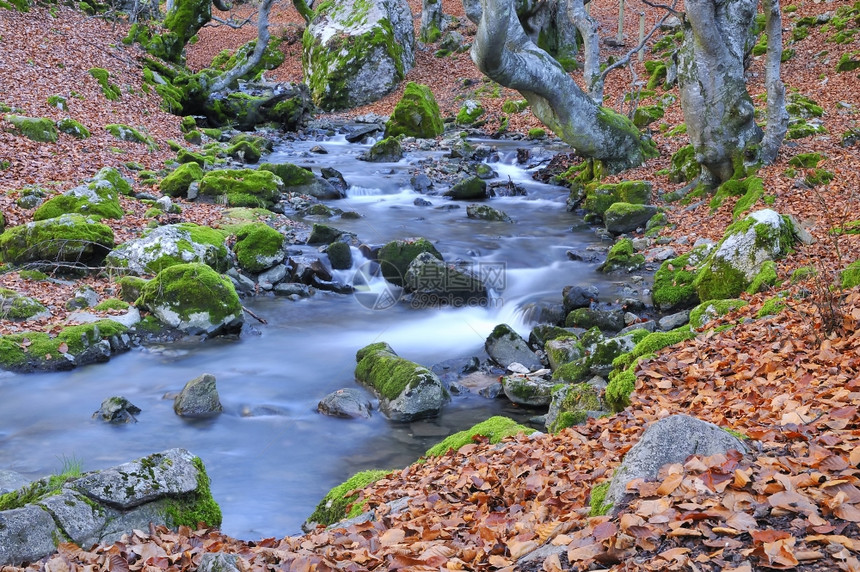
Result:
[[355, 52]]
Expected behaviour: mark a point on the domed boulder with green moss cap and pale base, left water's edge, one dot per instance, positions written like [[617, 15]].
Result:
[[194, 299]]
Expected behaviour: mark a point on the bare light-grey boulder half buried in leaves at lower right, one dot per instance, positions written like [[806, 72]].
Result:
[[670, 440]]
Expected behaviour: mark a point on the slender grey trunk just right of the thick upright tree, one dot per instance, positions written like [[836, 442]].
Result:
[[777, 116]]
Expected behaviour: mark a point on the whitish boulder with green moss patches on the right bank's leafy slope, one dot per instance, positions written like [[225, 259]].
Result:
[[740, 259]]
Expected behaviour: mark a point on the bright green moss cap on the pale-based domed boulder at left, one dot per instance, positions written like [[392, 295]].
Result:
[[190, 288]]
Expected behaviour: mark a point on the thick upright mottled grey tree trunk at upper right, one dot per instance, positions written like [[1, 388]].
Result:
[[717, 108]]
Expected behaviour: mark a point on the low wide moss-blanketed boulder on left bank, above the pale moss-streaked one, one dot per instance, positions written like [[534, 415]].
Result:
[[242, 187]]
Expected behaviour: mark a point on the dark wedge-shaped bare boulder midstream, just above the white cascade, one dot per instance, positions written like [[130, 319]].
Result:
[[433, 282]]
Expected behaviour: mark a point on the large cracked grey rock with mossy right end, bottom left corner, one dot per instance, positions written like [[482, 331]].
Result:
[[169, 488]]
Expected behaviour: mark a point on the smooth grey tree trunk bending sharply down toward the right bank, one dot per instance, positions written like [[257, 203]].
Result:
[[503, 52]]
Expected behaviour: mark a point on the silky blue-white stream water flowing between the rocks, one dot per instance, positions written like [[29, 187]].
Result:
[[269, 469]]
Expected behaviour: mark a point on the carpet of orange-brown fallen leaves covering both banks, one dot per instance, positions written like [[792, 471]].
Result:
[[790, 381]]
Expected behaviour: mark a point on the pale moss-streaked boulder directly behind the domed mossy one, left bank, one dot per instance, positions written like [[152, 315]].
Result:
[[168, 245]]
